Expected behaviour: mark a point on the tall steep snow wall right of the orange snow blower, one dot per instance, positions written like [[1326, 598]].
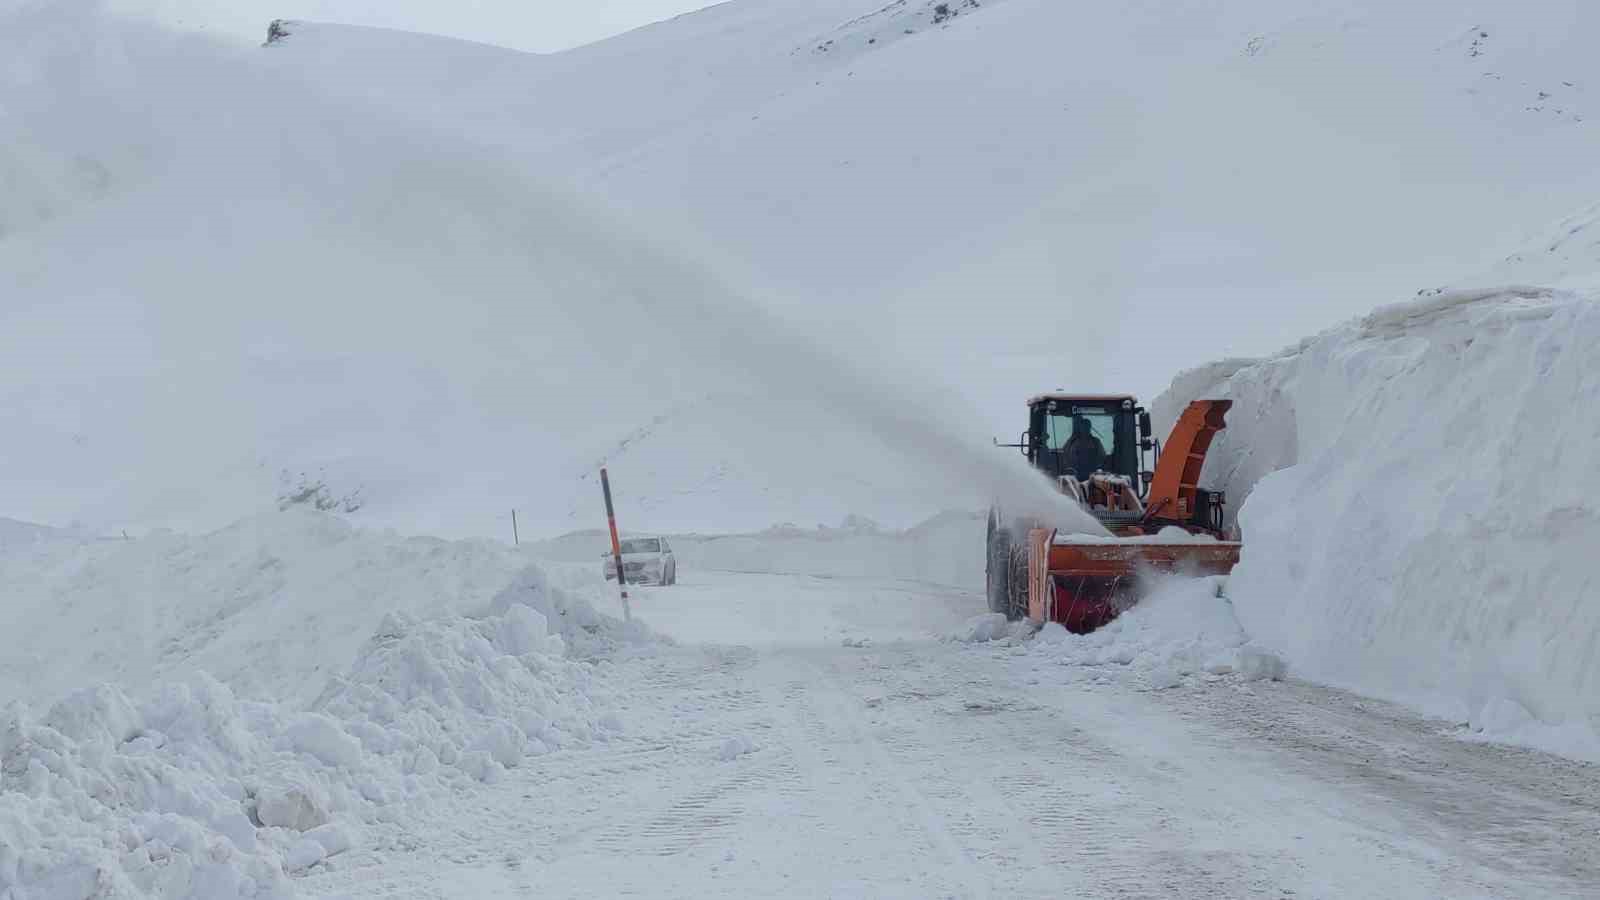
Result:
[[1422, 507]]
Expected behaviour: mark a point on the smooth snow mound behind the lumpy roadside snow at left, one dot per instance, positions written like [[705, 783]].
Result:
[[270, 606]]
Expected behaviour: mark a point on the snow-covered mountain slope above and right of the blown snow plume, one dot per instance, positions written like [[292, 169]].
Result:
[[1146, 169]]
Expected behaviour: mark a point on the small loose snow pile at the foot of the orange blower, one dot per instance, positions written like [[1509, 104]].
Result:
[[1183, 627]]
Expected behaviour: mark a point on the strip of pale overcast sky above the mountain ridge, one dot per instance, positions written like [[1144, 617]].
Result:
[[524, 25]]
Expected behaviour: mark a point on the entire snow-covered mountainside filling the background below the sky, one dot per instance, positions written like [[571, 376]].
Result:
[[340, 260]]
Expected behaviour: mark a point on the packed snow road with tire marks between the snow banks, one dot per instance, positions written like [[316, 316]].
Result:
[[828, 744]]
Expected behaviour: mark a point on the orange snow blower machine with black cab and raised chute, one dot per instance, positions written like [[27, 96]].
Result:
[[1095, 451]]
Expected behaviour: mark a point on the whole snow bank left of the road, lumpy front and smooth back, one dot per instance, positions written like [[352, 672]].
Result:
[[199, 787]]
